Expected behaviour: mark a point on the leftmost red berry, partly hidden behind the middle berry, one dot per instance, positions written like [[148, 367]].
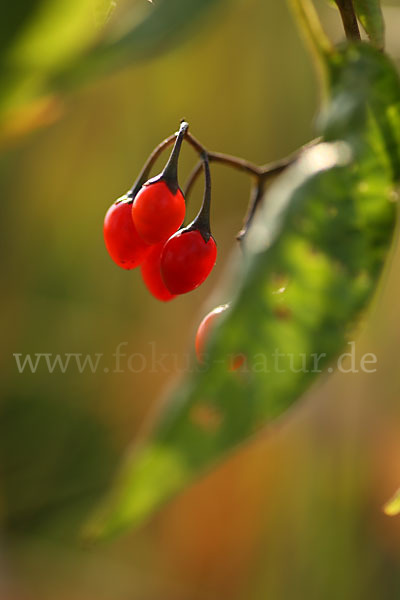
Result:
[[126, 248]]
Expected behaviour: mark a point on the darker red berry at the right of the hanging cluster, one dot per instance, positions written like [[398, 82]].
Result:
[[187, 260]]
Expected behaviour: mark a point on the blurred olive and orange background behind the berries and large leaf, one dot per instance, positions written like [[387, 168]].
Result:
[[297, 513]]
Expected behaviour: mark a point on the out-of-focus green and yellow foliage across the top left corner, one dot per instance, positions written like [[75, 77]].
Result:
[[49, 47]]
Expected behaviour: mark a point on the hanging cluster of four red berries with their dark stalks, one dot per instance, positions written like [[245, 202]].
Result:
[[144, 228]]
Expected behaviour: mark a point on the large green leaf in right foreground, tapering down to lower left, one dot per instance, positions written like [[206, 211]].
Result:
[[313, 260]]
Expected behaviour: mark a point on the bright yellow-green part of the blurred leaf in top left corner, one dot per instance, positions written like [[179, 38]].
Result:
[[41, 42]]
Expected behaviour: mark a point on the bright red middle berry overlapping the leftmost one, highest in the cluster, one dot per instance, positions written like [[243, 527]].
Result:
[[157, 212]]
